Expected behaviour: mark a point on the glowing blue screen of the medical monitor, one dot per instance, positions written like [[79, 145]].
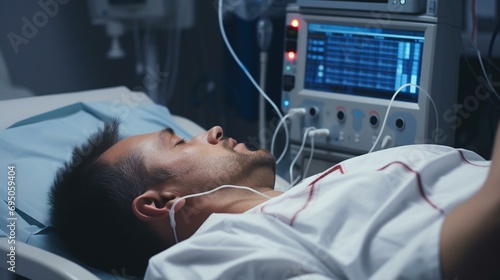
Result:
[[363, 61]]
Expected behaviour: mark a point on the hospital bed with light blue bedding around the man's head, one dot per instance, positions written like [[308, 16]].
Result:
[[37, 135]]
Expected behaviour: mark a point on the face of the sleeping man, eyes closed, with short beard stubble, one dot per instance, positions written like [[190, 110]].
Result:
[[205, 161]]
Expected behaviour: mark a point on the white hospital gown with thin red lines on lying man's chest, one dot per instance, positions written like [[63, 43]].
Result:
[[376, 216]]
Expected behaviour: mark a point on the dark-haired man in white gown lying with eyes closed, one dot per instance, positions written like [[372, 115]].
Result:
[[417, 212]]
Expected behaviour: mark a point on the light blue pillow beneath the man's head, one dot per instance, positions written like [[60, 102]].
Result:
[[40, 145]]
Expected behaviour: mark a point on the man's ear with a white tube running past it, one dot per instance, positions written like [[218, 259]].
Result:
[[153, 205]]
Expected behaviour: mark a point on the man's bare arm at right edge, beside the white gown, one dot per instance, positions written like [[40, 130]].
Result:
[[470, 237]]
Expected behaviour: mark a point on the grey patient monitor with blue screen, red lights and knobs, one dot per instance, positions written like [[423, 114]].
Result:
[[343, 65]]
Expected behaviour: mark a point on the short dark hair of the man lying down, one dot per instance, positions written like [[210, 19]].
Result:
[[91, 206]]
